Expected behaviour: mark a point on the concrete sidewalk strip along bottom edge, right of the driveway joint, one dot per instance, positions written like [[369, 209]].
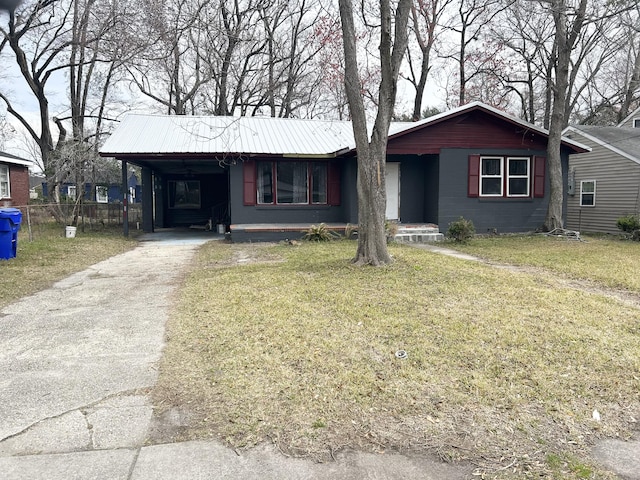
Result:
[[206, 460]]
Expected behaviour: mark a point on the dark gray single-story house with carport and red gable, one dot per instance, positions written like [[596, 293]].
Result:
[[265, 177]]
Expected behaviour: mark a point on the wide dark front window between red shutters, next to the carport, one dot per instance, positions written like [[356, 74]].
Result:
[[291, 183]]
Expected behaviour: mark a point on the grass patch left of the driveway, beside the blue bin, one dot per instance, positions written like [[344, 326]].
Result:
[[51, 257]]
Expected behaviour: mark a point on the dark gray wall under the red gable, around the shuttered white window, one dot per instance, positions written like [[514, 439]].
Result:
[[504, 214]]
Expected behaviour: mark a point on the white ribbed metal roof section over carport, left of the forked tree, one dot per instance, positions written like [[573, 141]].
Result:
[[171, 134]]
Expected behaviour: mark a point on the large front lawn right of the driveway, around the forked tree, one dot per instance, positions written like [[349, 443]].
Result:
[[293, 344]]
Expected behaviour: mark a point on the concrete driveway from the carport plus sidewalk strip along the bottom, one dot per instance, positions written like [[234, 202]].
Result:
[[78, 360]]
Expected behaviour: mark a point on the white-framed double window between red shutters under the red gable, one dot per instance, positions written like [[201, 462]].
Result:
[[505, 176]]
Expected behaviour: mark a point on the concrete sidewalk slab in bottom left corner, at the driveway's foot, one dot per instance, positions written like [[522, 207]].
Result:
[[99, 465]]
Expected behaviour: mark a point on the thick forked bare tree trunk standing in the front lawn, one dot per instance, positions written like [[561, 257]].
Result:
[[372, 246]]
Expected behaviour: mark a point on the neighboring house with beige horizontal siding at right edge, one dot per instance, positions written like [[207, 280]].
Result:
[[604, 184]]
